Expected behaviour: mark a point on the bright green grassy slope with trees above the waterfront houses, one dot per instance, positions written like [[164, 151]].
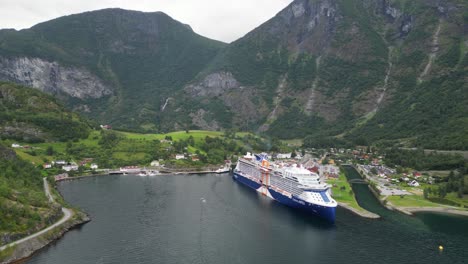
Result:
[[116, 148]]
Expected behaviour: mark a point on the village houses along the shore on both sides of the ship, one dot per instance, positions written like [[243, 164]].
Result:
[[386, 180]]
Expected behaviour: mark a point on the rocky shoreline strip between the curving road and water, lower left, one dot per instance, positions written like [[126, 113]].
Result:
[[28, 248]]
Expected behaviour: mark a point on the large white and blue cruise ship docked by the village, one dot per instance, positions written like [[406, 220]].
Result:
[[291, 185]]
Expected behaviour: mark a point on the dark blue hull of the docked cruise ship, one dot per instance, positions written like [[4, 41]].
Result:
[[327, 213]]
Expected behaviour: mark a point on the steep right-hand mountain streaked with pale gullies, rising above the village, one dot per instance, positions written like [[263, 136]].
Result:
[[360, 69]]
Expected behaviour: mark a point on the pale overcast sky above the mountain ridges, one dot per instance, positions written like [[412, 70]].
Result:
[[224, 20]]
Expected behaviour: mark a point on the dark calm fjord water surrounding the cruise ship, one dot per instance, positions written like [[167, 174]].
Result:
[[213, 219]]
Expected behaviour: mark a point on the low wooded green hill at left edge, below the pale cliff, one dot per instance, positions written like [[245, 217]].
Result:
[[29, 115]]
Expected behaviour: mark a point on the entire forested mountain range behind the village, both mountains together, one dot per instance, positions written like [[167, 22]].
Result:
[[360, 71]]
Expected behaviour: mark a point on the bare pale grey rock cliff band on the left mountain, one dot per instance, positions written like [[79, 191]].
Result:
[[52, 78]]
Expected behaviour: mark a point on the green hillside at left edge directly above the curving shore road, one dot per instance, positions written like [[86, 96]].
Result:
[[24, 207]]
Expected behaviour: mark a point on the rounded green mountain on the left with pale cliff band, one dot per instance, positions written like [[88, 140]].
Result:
[[116, 65]]
